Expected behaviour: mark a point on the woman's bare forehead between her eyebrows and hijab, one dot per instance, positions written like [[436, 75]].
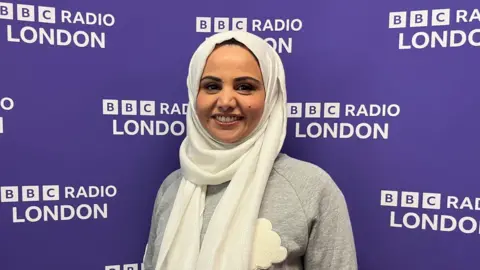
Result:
[[232, 58]]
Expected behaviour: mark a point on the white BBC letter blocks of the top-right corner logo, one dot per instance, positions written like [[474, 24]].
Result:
[[419, 18]]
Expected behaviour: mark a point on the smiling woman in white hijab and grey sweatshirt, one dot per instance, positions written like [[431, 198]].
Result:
[[236, 202]]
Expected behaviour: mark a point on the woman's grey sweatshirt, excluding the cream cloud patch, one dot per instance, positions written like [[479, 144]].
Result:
[[305, 206]]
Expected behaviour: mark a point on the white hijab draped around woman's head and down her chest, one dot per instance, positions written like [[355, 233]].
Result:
[[227, 243]]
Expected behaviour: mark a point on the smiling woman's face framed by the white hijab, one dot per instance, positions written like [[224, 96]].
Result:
[[231, 95]]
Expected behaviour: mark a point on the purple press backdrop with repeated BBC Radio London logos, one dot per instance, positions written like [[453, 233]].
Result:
[[382, 95]]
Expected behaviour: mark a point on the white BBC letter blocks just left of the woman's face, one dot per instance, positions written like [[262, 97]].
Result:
[[128, 107]]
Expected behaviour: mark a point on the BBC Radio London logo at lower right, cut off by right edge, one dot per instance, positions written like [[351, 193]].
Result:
[[431, 211]]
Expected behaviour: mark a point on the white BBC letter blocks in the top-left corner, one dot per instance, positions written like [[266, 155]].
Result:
[[27, 13]]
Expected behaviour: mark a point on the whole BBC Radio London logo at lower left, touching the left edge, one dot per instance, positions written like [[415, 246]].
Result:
[[47, 203]]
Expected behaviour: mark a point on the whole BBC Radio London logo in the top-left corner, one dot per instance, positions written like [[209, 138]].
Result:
[[45, 25]]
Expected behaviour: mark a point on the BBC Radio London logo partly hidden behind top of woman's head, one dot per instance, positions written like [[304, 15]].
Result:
[[282, 44]]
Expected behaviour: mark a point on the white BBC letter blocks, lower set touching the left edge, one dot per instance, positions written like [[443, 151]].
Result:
[[29, 193]]
